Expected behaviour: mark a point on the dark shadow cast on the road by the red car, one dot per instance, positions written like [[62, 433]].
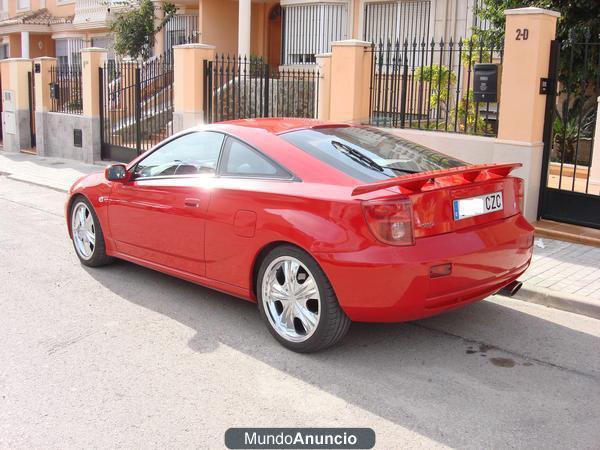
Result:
[[480, 369]]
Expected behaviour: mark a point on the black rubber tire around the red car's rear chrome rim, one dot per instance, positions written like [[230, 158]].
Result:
[[333, 323]]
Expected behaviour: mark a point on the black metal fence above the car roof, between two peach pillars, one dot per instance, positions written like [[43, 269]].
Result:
[[237, 87]]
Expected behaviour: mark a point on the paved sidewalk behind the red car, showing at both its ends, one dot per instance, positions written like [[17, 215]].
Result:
[[562, 275]]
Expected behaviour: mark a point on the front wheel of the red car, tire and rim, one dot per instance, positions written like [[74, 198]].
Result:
[[88, 238]]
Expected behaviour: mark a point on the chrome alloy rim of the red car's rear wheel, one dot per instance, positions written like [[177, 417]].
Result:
[[291, 299]]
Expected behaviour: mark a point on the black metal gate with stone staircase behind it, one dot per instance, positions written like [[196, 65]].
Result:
[[136, 107]]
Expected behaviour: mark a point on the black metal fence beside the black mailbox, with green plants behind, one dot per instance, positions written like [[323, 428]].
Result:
[[428, 85]]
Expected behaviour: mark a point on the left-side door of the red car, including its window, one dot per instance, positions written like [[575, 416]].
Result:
[[159, 215]]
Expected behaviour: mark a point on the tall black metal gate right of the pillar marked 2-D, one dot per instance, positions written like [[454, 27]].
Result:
[[570, 188]]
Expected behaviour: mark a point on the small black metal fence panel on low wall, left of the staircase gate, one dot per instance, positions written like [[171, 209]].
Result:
[[65, 89]]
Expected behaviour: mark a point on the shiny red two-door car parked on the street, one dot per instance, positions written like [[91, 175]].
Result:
[[319, 223]]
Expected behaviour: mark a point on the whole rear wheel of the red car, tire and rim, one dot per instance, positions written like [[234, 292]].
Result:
[[297, 301]]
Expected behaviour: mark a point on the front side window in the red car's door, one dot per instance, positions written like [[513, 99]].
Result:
[[193, 153]]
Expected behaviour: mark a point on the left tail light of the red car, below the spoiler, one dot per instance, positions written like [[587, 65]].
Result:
[[390, 221]]
